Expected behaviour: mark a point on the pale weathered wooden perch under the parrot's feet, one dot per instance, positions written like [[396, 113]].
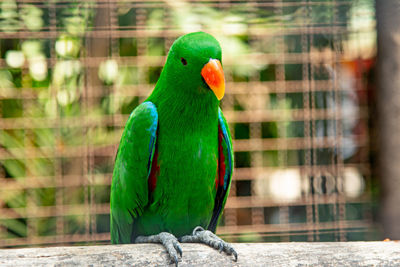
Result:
[[256, 254]]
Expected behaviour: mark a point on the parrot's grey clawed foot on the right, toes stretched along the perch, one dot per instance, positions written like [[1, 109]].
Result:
[[207, 237]]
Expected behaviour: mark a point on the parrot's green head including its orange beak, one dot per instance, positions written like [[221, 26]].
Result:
[[194, 65]]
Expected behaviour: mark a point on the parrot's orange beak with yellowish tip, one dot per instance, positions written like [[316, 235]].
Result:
[[214, 76]]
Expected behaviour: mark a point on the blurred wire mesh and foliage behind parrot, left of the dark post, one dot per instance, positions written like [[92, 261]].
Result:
[[300, 102]]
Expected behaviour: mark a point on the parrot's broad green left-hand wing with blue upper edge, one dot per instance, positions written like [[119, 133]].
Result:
[[129, 189]]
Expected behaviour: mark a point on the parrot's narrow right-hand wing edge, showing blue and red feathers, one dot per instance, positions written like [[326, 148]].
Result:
[[225, 169]]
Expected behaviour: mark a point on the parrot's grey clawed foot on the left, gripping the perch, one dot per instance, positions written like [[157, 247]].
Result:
[[168, 240]]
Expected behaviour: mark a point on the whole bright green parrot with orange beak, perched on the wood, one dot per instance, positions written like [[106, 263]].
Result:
[[174, 164]]
